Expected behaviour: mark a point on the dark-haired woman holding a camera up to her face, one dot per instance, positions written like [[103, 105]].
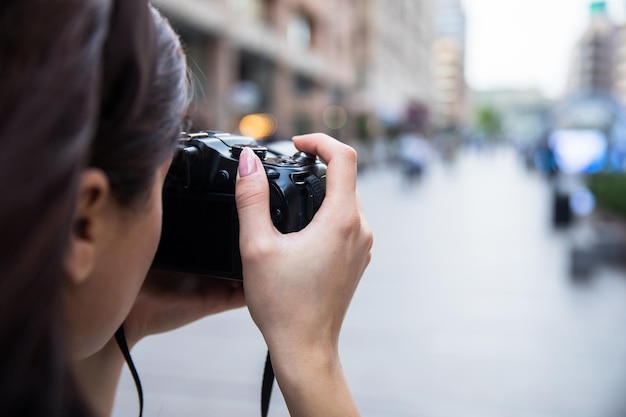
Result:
[[93, 94]]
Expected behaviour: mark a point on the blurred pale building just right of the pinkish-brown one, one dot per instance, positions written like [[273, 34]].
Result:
[[394, 78]]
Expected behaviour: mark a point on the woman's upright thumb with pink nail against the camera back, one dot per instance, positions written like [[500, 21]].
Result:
[[252, 198]]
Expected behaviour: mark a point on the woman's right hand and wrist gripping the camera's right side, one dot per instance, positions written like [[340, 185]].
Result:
[[298, 286]]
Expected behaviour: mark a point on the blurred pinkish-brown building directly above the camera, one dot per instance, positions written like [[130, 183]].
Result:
[[290, 61]]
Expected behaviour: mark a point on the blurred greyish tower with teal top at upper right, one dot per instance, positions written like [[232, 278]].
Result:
[[594, 57]]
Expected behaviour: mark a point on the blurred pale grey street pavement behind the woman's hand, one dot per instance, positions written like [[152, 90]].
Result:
[[467, 309]]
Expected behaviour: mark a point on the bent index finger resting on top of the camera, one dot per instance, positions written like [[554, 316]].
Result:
[[341, 160]]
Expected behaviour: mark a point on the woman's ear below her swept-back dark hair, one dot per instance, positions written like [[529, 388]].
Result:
[[87, 225]]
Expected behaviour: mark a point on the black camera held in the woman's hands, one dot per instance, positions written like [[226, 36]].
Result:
[[200, 231]]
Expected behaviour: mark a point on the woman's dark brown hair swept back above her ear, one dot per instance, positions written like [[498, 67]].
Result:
[[80, 85]]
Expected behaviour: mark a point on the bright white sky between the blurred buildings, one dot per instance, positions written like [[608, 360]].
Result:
[[525, 43]]
